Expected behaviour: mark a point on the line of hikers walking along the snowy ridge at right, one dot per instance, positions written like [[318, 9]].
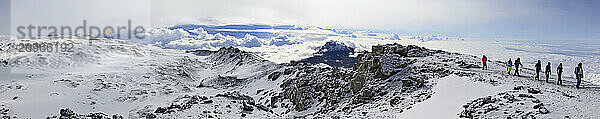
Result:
[[538, 67]]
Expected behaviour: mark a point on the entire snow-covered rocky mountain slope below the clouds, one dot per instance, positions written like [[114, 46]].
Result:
[[114, 78]]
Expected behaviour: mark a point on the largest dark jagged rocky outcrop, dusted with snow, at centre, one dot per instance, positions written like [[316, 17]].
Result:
[[393, 73]]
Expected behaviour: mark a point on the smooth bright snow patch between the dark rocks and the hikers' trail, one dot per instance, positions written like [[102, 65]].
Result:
[[451, 93]]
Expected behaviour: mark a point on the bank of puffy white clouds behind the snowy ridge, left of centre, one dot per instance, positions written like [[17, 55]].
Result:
[[201, 39]]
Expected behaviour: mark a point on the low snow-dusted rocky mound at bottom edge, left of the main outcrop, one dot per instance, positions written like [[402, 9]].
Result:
[[222, 105]]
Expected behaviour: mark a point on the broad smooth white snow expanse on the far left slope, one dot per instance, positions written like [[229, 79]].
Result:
[[66, 80]]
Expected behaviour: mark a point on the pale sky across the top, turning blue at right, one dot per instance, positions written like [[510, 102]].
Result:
[[515, 19]]
